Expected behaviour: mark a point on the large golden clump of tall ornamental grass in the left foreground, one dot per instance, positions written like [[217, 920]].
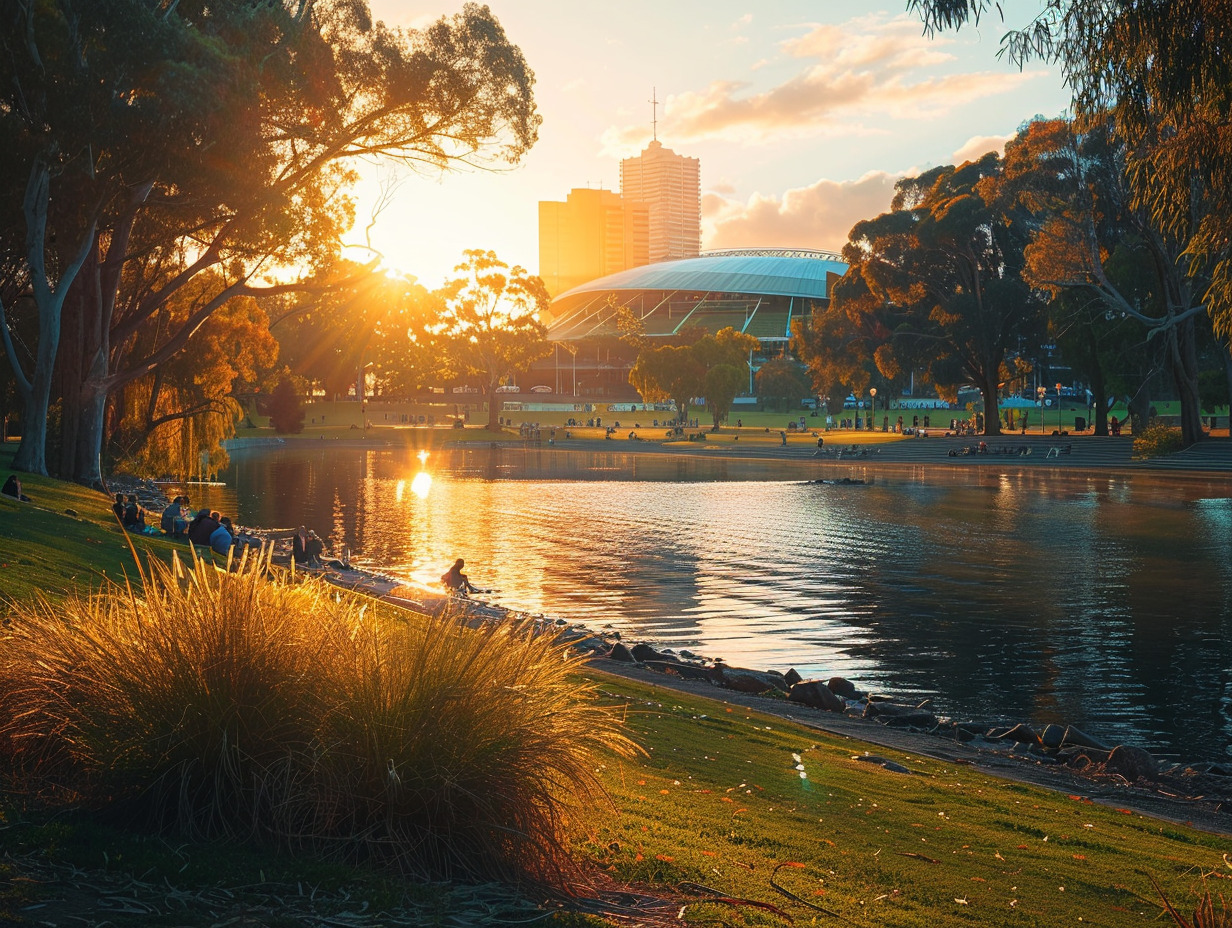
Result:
[[233, 706]]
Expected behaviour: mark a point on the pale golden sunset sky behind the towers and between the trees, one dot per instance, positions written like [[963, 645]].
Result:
[[803, 116]]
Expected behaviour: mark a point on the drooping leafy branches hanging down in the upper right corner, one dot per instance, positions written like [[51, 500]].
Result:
[[1161, 75]]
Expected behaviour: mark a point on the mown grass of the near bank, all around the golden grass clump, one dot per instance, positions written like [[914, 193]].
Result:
[[720, 802]]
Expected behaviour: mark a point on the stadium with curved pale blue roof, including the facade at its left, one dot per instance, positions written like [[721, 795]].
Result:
[[757, 291]]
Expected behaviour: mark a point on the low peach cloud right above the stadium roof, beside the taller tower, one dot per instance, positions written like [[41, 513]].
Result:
[[817, 216]]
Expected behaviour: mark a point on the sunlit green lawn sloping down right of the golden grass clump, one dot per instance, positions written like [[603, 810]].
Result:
[[720, 802]]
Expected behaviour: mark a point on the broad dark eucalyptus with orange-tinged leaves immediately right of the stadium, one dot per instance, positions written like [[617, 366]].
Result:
[[936, 285]]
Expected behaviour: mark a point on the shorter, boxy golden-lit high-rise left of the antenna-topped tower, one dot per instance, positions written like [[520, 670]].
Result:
[[592, 235]]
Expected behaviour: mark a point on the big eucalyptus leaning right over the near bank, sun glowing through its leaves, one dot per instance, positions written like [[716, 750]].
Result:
[[258, 115]]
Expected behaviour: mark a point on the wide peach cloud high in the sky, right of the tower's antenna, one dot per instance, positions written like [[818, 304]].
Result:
[[874, 65]]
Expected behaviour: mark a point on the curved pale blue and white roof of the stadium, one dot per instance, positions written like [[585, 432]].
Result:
[[758, 291]]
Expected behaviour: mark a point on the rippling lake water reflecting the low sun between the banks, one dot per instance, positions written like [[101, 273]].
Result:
[[1098, 600]]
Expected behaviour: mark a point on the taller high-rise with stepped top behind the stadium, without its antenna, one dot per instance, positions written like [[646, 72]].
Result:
[[671, 187]]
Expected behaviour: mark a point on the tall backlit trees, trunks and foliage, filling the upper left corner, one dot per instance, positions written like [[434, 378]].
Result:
[[215, 142]]
